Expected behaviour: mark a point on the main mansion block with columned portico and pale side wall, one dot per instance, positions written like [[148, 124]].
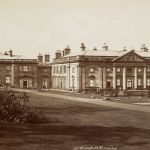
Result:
[[102, 69]]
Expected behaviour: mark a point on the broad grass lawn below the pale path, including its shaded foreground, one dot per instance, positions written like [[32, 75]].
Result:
[[76, 125]]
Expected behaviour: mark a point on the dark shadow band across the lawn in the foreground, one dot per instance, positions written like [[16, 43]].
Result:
[[55, 135]]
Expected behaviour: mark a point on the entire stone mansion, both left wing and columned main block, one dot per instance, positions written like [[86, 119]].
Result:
[[77, 71]]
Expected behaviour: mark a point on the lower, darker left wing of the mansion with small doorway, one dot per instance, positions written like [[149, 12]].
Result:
[[19, 72]]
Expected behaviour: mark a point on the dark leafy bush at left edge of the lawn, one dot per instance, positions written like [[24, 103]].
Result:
[[14, 108]]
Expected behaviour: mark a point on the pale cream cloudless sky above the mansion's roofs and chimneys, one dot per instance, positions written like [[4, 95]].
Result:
[[30, 27]]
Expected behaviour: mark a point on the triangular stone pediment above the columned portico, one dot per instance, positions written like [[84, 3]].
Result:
[[130, 57]]
